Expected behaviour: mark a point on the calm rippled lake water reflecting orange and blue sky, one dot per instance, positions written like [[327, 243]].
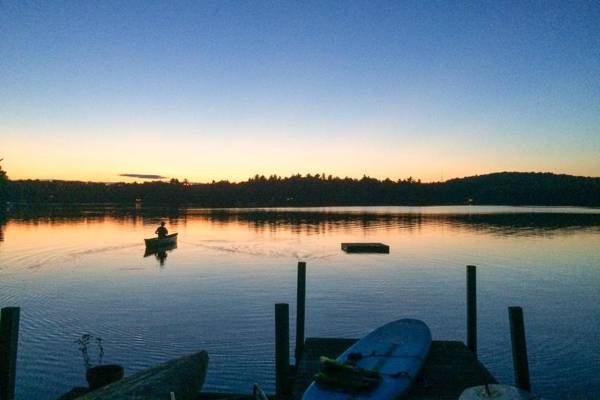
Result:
[[84, 271]]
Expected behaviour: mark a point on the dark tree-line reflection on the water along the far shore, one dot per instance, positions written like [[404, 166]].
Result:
[[502, 220]]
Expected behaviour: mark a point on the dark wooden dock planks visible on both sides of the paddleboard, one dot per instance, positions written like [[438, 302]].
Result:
[[450, 368]]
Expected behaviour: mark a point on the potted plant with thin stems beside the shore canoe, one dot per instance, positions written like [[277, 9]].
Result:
[[101, 374]]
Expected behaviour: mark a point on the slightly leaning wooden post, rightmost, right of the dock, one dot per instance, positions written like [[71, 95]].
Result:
[[519, 348]]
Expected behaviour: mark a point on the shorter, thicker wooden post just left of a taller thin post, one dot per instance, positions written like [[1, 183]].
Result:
[[282, 349]]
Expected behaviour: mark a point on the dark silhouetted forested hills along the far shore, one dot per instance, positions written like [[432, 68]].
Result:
[[507, 188]]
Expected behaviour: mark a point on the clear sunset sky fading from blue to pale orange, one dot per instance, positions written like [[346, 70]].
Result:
[[205, 90]]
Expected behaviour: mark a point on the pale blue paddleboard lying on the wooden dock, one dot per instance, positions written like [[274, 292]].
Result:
[[397, 351]]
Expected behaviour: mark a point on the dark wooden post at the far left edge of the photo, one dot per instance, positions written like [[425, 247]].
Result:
[[9, 339]]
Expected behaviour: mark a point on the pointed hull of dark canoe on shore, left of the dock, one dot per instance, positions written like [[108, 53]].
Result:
[[183, 377]]
